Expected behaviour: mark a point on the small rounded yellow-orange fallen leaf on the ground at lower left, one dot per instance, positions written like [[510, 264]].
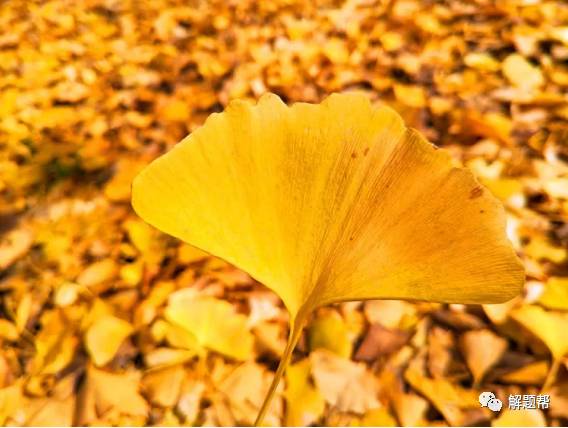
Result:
[[104, 337]]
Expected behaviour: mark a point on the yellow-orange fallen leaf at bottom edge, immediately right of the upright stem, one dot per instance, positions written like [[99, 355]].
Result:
[[304, 402]]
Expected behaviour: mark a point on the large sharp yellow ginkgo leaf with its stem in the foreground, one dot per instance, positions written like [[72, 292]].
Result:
[[331, 202]]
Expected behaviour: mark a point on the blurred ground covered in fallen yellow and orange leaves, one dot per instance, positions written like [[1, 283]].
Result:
[[104, 320]]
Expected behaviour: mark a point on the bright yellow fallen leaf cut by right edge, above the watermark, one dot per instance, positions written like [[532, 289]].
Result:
[[550, 327]]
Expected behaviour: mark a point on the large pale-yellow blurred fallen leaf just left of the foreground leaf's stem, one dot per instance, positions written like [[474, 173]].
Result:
[[214, 324]]
